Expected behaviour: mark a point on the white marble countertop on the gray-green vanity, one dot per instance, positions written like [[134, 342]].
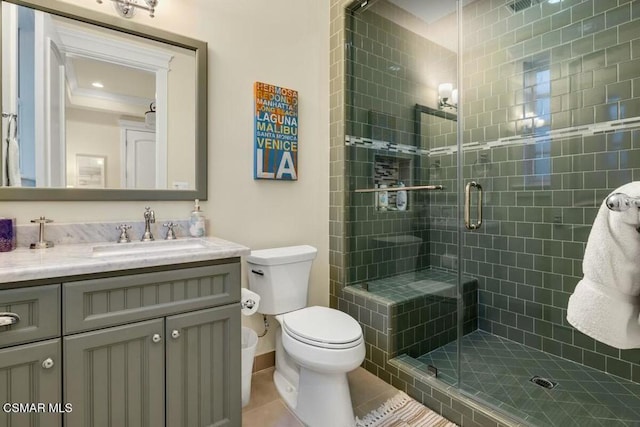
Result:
[[64, 260]]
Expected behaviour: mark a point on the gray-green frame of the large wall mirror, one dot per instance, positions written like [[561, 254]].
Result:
[[116, 23]]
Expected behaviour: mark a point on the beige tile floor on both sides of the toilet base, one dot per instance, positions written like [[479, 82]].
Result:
[[266, 409]]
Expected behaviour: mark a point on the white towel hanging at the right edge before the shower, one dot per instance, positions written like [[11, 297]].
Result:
[[606, 304]]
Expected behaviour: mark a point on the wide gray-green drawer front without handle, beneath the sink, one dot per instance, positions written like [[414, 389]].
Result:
[[97, 303]]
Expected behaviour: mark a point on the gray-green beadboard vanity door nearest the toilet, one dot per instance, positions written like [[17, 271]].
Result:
[[203, 368]]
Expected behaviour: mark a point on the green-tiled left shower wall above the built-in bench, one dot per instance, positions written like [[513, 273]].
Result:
[[382, 90]]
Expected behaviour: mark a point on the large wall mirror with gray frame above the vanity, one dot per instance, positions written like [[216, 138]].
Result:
[[97, 108]]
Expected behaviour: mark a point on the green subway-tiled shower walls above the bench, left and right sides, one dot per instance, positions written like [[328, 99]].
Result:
[[540, 197]]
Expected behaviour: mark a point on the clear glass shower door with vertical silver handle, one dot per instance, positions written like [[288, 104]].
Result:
[[549, 128]]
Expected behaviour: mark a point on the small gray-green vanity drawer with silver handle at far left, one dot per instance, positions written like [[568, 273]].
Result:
[[39, 311]]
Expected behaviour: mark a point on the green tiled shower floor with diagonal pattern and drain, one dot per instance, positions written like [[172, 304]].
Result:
[[498, 371]]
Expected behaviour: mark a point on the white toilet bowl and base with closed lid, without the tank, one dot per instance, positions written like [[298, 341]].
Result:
[[323, 344]]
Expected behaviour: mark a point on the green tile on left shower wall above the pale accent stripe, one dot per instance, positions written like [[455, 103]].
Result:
[[388, 68]]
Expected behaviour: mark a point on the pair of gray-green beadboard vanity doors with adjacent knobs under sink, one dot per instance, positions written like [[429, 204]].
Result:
[[116, 376]]
